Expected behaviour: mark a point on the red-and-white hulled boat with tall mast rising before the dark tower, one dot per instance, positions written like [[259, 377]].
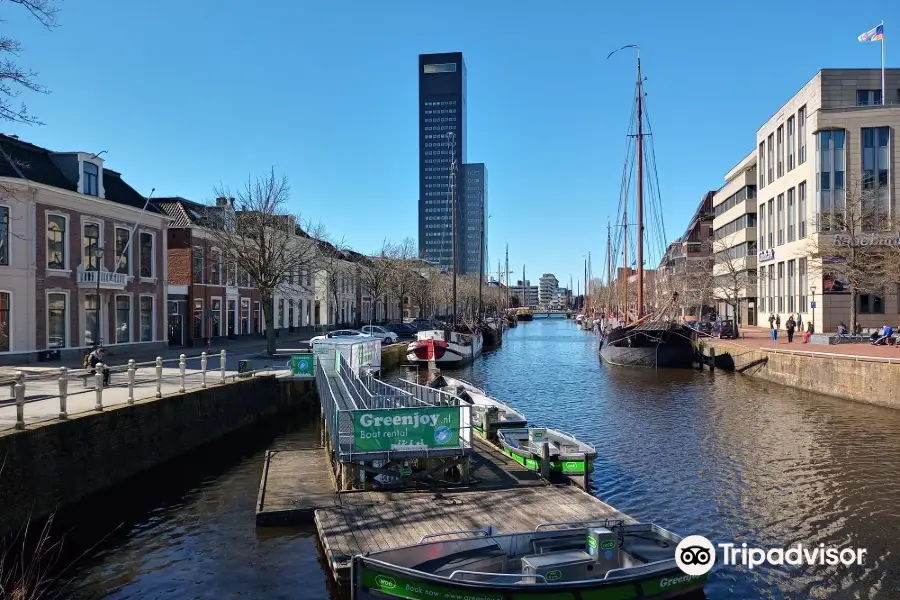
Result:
[[453, 346]]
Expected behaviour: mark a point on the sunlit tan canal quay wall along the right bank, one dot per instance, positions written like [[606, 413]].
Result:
[[860, 379]]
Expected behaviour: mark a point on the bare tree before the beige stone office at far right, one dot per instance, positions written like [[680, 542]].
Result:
[[852, 244]]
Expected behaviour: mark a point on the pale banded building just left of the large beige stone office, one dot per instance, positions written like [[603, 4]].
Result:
[[734, 243]]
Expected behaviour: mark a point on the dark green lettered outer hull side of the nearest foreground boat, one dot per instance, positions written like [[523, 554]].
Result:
[[373, 580]]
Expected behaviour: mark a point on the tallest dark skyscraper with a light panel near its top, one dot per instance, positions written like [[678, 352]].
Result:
[[442, 138]]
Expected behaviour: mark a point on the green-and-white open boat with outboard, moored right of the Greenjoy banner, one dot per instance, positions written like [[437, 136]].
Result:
[[568, 456]]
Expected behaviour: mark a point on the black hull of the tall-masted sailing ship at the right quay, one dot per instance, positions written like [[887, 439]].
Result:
[[652, 348]]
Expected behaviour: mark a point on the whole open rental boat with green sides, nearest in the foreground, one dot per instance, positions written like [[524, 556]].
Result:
[[600, 559]]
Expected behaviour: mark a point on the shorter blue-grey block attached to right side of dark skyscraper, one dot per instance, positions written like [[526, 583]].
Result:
[[473, 199]]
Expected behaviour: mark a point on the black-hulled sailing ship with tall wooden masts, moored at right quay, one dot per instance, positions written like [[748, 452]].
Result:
[[650, 340]]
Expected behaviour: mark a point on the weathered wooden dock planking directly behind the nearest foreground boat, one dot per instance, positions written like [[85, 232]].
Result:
[[373, 521]]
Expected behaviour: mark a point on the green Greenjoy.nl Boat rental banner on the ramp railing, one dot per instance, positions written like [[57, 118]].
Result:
[[405, 428]]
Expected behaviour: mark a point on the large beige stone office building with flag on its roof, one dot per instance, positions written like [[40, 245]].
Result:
[[833, 134]]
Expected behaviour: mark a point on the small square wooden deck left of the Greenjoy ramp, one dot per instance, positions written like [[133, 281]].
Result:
[[294, 484]]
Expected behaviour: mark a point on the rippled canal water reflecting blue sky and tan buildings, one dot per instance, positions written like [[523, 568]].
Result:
[[712, 454]]
